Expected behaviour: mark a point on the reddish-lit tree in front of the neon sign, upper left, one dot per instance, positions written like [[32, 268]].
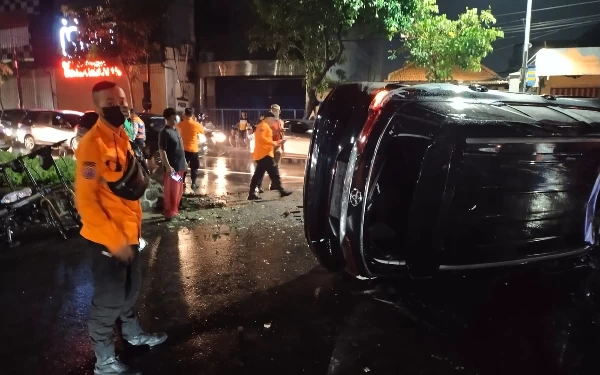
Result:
[[118, 32]]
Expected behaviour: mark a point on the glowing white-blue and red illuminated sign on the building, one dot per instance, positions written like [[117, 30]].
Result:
[[68, 38]]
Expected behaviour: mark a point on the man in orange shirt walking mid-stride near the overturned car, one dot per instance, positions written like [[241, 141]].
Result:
[[263, 156]]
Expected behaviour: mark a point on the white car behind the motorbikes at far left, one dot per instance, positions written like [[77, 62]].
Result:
[[43, 127]]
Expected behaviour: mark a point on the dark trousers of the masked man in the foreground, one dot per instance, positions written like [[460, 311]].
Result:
[[116, 288]]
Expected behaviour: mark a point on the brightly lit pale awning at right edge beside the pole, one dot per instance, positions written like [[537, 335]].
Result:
[[568, 61]]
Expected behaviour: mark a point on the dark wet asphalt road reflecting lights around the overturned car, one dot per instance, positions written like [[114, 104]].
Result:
[[238, 292]]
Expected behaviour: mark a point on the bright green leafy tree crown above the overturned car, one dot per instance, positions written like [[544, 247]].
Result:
[[438, 44]]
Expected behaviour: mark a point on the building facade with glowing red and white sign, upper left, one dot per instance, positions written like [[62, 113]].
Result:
[[39, 36]]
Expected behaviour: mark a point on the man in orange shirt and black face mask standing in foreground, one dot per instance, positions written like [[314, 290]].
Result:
[[109, 181]]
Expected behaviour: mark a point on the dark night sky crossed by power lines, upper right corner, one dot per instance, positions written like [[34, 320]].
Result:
[[566, 30]]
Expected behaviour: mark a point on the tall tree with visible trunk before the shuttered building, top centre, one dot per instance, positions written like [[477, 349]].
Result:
[[311, 32]]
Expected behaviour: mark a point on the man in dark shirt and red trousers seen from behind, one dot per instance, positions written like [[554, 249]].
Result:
[[173, 156]]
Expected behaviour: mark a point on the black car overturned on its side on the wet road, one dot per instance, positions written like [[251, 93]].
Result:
[[440, 177]]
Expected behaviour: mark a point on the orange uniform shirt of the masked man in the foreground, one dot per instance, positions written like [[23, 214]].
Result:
[[107, 219]]
